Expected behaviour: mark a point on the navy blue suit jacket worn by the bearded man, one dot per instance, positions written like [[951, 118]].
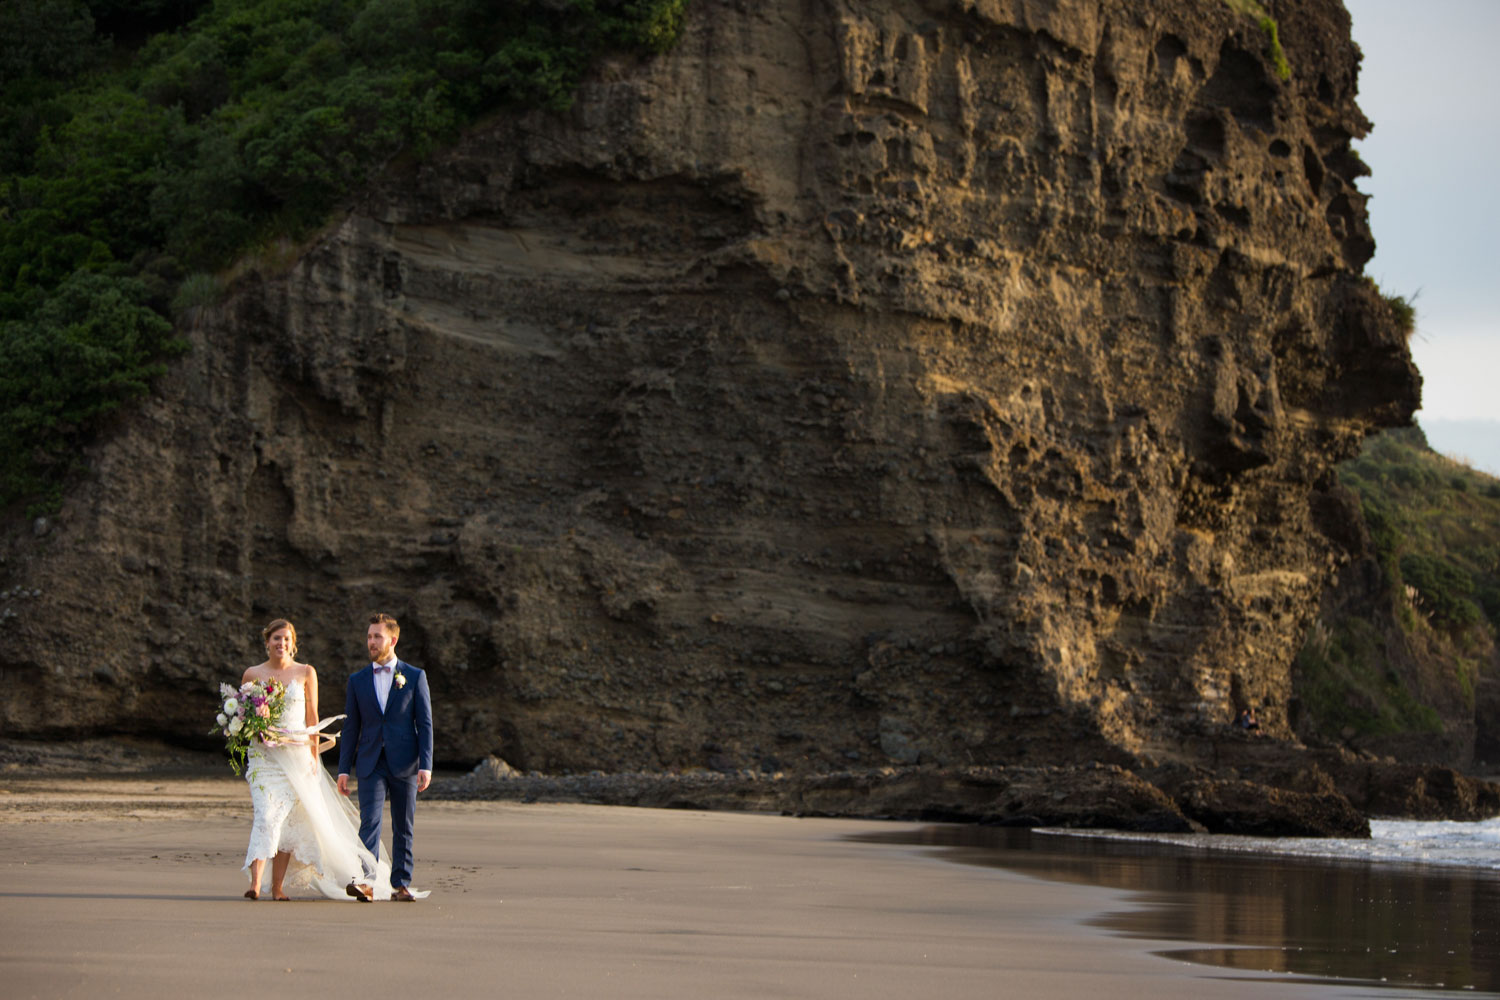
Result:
[[404, 731]]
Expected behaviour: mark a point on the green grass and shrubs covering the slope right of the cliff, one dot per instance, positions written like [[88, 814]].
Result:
[[1435, 528]]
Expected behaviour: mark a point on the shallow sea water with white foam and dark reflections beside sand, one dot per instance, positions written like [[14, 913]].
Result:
[[1414, 911]]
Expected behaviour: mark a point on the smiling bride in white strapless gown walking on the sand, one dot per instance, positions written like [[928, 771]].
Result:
[[304, 827]]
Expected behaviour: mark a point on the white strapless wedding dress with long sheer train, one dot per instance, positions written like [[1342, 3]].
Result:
[[299, 810]]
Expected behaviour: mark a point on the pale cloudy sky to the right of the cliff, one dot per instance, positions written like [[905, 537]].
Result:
[[1432, 85]]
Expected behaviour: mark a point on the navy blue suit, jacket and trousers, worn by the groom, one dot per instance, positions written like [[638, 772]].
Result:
[[386, 750]]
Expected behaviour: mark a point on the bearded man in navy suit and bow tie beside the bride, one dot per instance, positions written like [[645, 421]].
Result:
[[388, 743]]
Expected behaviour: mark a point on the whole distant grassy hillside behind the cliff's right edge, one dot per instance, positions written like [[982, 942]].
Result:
[[1402, 657]]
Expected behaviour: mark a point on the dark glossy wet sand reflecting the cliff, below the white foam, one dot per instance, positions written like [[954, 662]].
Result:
[[1400, 926]]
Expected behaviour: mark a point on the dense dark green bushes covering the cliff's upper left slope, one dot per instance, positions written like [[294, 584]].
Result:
[[145, 145]]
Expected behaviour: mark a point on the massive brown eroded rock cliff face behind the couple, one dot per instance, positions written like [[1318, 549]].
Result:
[[919, 383]]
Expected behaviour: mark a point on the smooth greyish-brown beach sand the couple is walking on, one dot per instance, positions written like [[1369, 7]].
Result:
[[131, 888]]
